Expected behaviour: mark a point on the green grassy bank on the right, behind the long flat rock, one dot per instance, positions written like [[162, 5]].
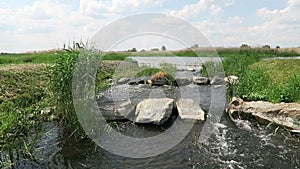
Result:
[[268, 80]]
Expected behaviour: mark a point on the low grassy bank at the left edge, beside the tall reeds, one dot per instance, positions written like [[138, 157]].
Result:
[[24, 105]]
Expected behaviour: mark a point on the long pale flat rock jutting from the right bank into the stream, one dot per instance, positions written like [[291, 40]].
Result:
[[284, 114]]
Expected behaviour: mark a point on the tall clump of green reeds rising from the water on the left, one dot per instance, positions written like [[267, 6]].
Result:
[[72, 76]]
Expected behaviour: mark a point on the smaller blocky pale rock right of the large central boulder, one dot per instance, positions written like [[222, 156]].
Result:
[[188, 109]]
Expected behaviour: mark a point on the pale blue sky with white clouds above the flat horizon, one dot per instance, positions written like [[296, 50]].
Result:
[[34, 25]]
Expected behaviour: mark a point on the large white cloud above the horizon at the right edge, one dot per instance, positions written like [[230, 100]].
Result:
[[275, 27]]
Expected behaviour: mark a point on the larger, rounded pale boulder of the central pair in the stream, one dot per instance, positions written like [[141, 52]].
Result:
[[155, 111]]
